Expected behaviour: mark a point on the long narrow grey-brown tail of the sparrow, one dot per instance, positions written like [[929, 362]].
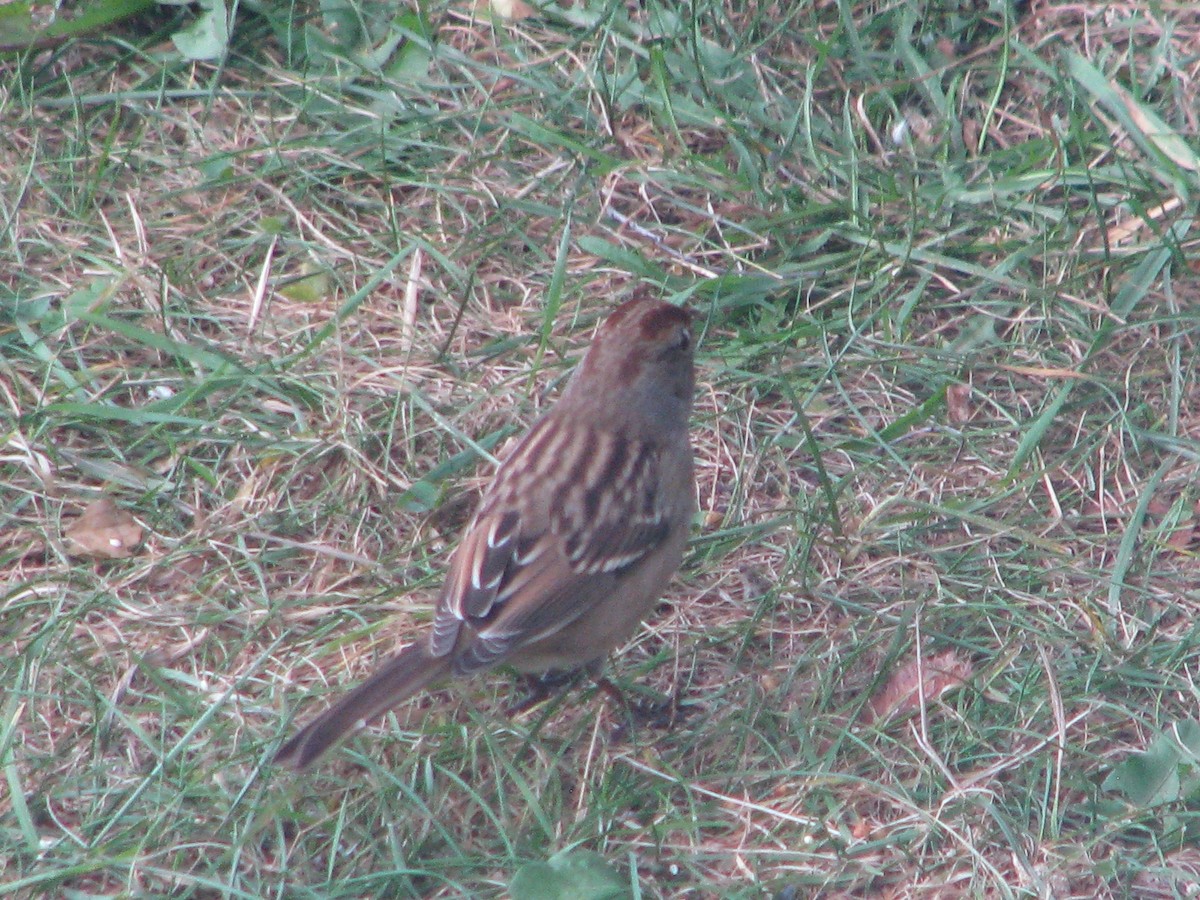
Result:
[[399, 680]]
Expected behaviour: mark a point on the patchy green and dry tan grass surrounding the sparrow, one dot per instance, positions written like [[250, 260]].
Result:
[[937, 627]]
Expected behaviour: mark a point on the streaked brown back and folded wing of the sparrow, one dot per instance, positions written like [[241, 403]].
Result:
[[563, 519]]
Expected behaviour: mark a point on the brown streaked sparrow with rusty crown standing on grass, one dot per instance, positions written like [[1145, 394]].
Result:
[[575, 538]]
